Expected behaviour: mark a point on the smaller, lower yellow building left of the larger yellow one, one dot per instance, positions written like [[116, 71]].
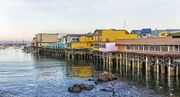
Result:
[[84, 42]]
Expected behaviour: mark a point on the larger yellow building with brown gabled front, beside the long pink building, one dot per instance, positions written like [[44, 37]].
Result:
[[110, 35]]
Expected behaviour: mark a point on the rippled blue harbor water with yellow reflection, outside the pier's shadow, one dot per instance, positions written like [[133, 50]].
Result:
[[26, 75]]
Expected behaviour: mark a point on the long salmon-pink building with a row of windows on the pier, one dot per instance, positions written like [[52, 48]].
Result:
[[163, 45]]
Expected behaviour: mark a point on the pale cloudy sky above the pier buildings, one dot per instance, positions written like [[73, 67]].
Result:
[[21, 19]]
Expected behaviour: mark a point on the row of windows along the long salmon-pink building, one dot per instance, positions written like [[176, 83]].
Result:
[[155, 47]]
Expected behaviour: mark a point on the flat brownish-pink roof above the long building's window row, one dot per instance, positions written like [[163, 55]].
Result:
[[149, 41]]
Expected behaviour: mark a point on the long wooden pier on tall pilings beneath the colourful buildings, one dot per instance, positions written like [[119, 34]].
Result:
[[159, 64]]
